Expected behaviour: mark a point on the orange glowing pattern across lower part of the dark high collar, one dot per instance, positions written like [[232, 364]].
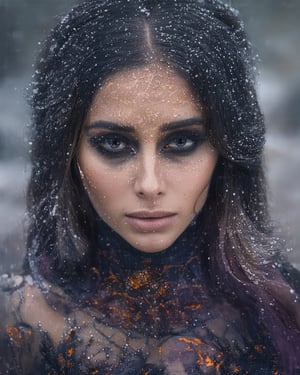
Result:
[[146, 297]]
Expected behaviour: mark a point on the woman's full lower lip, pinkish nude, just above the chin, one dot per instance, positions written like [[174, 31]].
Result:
[[150, 224]]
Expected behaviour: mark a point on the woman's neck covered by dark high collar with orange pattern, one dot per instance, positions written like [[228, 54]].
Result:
[[137, 289]]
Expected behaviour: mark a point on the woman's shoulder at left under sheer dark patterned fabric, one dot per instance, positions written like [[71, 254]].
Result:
[[28, 321]]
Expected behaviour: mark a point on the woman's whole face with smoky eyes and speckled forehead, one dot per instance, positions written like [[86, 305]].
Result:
[[144, 157]]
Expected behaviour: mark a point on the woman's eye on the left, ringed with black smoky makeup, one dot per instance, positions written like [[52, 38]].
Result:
[[113, 145]]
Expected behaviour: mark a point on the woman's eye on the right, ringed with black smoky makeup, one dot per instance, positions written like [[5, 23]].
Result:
[[183, 143]]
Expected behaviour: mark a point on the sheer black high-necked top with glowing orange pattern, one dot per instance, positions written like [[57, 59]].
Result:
[[143, 314]]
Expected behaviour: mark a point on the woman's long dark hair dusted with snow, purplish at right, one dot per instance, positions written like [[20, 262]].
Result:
[[205, 42]]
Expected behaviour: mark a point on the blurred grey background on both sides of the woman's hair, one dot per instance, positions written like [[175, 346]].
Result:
[[273, 27]]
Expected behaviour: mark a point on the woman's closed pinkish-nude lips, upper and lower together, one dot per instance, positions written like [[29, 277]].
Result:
[[150, 221]]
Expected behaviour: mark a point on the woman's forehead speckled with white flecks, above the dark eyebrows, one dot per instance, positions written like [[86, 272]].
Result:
[[153, 94]]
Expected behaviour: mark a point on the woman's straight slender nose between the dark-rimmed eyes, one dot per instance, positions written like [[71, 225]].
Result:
[[149, 182]]
